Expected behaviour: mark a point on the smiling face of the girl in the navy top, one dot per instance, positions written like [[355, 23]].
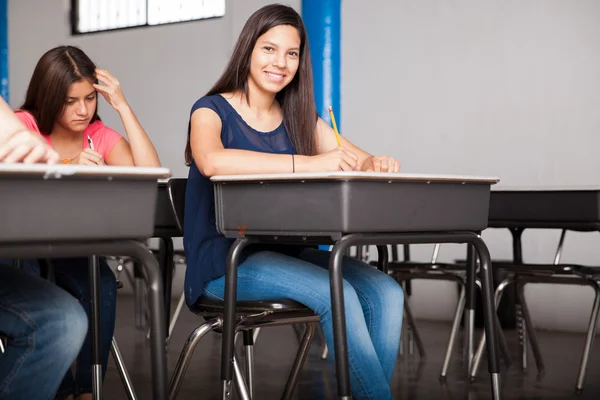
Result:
[[275, 59]]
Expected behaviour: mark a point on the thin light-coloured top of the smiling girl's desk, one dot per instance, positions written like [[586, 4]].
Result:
[[354, 175]]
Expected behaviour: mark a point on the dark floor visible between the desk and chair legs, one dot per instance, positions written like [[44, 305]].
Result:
[[413, 379]]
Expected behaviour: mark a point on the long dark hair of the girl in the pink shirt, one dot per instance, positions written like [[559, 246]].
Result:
[[49, 86]]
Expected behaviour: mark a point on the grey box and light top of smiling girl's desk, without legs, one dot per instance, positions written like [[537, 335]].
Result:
[[332, 204]]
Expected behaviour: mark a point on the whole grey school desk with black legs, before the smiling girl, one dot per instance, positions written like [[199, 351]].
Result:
[[348, 209]]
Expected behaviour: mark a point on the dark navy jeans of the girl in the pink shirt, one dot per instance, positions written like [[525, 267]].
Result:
[[72, 275]]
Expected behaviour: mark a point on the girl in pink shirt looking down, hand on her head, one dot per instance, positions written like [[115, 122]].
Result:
[[62, 105]]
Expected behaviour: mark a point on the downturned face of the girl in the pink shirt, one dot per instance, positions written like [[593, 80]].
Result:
[[80, 106]]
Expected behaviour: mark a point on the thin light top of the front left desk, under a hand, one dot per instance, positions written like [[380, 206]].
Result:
[[82, 171]]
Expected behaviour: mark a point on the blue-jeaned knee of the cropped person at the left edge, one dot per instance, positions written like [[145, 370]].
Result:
[[46, 327]]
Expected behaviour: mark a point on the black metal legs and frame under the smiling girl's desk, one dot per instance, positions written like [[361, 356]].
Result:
[[337, 298]]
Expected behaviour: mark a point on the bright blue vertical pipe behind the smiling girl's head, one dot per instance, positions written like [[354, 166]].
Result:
[[323, 24]]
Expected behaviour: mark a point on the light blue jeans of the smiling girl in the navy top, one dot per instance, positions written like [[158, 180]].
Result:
[[373, 305]]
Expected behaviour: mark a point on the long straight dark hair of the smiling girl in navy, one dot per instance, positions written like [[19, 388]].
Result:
[[297, 99]]
